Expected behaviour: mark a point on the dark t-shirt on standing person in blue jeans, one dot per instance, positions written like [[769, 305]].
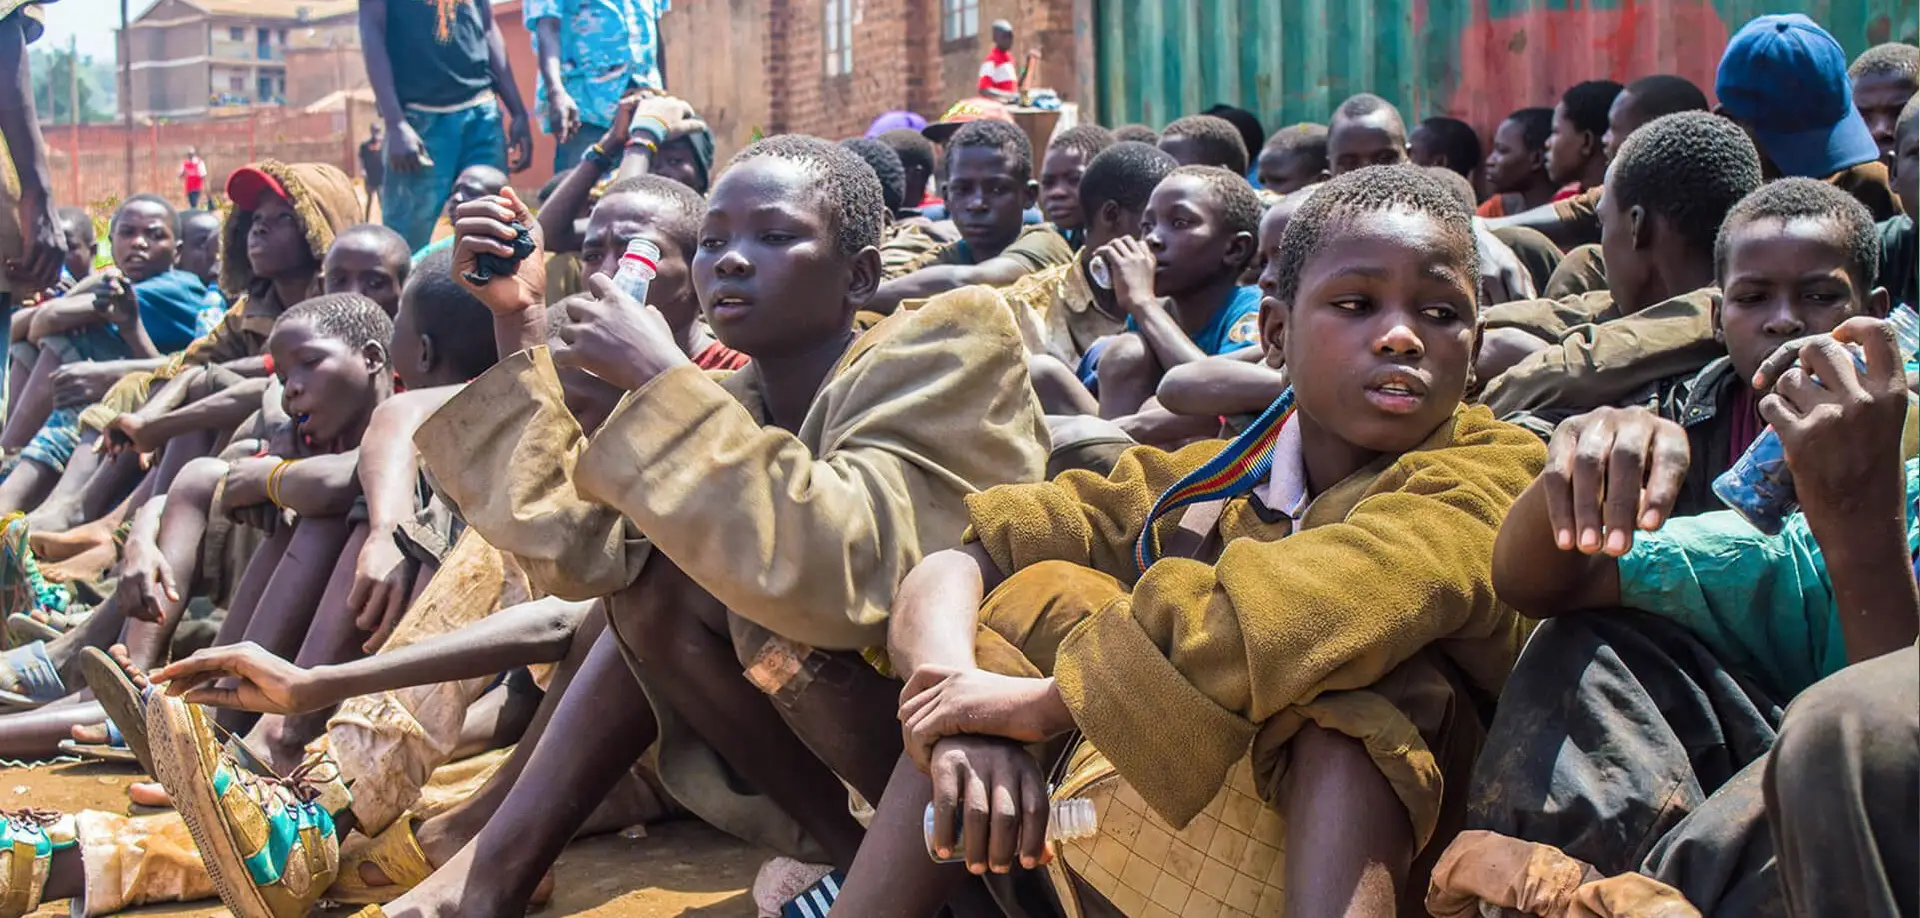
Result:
[[439, 51]]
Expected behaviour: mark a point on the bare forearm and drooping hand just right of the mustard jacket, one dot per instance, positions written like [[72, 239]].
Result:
[[1610, 473]]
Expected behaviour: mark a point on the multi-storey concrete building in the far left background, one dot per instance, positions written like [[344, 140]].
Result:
[[208, 59]]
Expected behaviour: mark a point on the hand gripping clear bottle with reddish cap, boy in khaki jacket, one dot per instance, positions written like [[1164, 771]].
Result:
[[615, 339]]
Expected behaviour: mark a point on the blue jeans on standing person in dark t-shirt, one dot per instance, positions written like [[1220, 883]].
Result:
[[412, 203]]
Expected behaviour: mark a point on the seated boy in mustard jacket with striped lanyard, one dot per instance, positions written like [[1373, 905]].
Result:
[[1314, 594]]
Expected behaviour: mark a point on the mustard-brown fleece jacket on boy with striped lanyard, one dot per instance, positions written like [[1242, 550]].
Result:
[[1278, 627]]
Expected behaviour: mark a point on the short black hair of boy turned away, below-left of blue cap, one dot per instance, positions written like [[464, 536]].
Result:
[[1689, 168]]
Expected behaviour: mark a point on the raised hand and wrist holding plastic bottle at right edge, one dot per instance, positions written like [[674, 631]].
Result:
[[1865, 412]]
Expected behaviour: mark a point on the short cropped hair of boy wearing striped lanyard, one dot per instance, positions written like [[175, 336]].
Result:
[[1368, 191]]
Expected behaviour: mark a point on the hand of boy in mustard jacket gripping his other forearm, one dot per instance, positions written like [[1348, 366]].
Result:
[[938, 704]]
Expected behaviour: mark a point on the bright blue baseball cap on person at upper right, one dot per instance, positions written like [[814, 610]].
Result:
[[1787, 80]]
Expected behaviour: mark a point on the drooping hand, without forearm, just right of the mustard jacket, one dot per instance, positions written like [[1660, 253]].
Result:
[[1614, 471]]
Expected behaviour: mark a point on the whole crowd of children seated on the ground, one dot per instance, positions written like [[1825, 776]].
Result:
[[1284, 531]]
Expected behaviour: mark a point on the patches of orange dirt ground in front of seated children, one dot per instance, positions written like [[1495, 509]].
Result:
[[681, 869]]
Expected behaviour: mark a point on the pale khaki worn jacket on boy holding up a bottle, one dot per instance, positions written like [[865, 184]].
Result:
[[805, 535]]
